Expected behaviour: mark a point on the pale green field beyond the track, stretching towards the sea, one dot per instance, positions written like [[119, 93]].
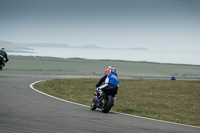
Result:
[[77, 66]]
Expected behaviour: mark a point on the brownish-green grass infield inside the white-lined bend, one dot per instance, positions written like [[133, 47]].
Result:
[[174, 101]]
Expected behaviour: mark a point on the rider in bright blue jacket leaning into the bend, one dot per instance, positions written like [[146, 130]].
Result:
[[111, 81]]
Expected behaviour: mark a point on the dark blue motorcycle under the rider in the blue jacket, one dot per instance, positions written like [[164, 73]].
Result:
[[104, 102]]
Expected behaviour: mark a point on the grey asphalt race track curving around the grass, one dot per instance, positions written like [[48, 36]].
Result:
[[23, 110]]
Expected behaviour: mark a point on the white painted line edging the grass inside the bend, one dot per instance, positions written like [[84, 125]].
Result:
[[31, 85]]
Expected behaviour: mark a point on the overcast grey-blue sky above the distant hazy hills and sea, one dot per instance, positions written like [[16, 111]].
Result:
[[153, 24]]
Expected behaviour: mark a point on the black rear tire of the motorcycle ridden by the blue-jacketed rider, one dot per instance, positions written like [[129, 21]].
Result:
[[108, 104]]
